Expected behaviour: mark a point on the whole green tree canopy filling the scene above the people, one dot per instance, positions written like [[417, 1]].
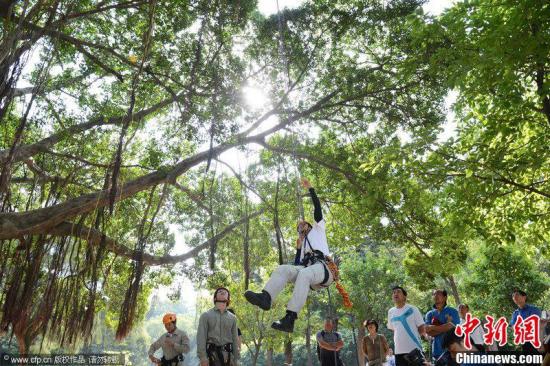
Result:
[[121, 120]]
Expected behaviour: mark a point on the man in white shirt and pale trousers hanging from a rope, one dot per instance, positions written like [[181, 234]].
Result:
[[313, 268]]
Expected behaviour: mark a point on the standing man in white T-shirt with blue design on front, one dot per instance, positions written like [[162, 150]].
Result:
[[407, 325]]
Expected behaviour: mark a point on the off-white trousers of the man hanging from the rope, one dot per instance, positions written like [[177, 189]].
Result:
[[302, 277]]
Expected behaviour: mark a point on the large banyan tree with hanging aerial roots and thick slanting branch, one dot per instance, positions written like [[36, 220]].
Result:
[[113, 112]]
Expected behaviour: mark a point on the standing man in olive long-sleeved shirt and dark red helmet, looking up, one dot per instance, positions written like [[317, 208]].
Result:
[[217, 338]]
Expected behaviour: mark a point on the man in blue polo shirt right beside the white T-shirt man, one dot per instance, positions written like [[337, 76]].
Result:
[[439, 320]]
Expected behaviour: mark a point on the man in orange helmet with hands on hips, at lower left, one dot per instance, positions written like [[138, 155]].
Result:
[[174, 344]]
